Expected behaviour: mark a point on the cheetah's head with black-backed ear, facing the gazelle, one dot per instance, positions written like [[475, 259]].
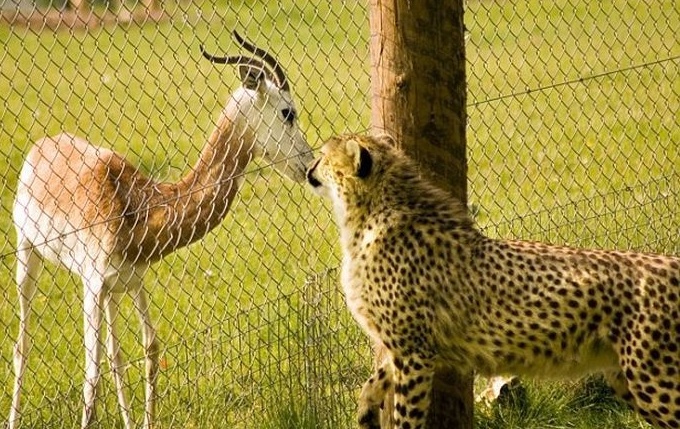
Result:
[[349, 163]]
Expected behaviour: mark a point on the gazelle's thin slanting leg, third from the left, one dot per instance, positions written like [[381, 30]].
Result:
[[111, 305]]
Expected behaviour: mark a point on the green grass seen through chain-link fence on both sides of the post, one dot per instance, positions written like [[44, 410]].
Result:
[[573, 138]]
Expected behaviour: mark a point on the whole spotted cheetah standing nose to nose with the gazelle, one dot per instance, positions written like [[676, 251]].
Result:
[[425, 283]]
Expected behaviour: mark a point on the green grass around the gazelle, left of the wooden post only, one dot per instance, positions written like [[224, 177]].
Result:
[[230, 314]]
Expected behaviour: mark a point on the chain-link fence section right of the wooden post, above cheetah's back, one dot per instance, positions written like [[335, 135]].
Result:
[[573, 109]]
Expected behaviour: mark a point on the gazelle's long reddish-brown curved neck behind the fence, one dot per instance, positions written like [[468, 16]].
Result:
[[177, 214]]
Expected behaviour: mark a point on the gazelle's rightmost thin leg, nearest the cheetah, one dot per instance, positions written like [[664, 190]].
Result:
[[151, 352]]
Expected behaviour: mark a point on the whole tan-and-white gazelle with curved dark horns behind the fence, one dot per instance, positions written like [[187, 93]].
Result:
[[88, 209]]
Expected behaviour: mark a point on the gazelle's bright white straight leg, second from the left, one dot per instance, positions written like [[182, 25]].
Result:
[[92, 317]]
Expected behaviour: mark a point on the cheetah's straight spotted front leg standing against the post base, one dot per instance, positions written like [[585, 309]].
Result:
[[413, 375]]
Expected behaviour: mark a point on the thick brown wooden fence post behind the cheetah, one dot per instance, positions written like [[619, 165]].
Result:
[[419, 96]]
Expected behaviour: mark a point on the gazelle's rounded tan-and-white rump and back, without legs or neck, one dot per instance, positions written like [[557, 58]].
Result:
[[65, 196]]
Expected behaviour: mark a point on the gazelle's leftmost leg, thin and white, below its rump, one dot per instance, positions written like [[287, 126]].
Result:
[[28, 267]]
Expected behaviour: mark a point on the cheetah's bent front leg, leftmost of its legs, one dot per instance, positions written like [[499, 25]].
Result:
[[372, 396]]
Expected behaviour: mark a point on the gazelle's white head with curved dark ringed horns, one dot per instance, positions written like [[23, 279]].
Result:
[[264, 107]]
